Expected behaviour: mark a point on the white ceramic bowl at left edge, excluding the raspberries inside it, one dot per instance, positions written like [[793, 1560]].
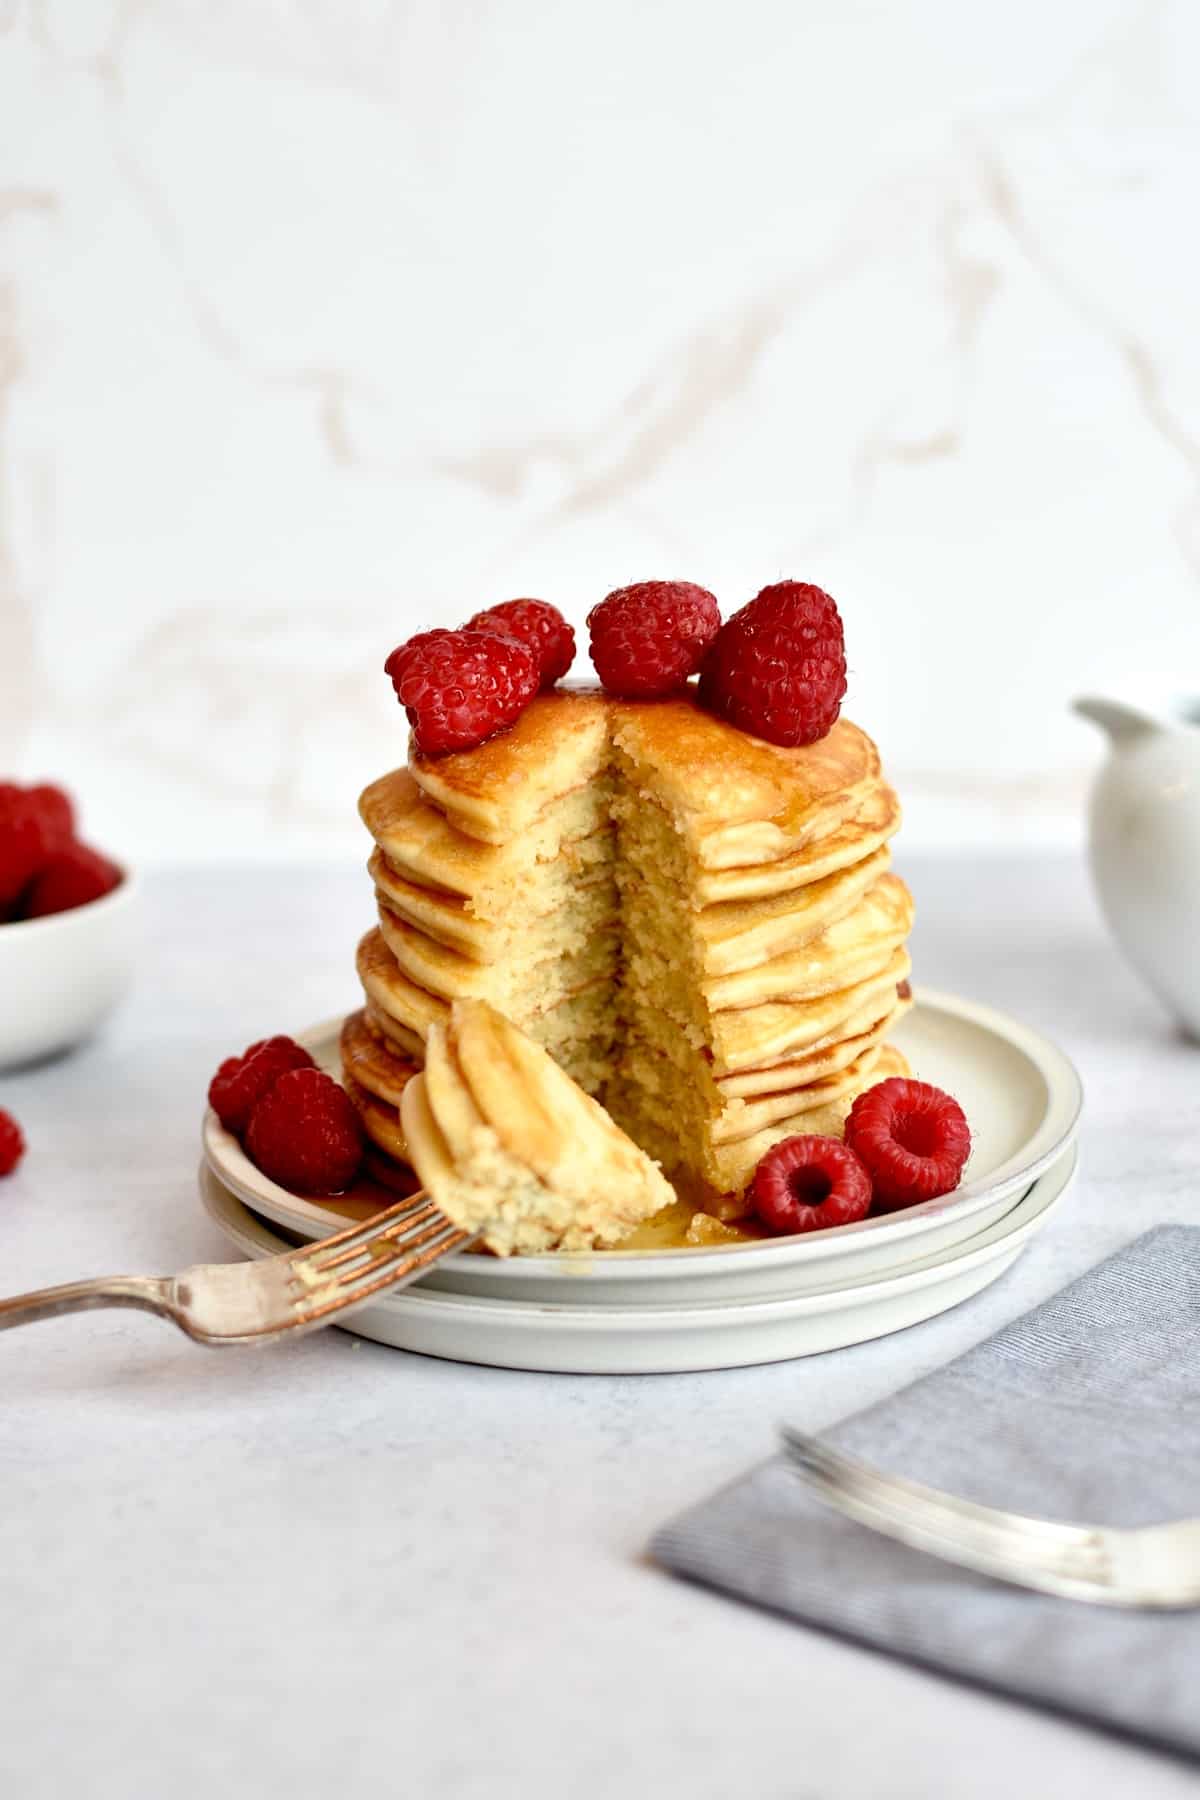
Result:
[[60, 976]]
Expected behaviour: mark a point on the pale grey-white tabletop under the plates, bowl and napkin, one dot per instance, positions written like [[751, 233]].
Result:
[[339, 1569]]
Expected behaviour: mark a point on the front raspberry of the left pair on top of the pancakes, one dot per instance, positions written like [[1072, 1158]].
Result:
[[460, 688]]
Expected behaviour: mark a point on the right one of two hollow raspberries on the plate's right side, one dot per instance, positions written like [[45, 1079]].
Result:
[[913, 1140]]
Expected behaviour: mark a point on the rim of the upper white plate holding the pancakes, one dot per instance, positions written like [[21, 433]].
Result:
[[1061, 1124]]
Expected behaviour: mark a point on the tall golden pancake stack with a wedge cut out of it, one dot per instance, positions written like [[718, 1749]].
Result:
[[701, 928]]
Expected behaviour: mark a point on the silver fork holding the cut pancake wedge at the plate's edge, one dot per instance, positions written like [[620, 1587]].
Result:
[[282, 1297]]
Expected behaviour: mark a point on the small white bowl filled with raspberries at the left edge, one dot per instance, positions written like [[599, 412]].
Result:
[[66, 926]]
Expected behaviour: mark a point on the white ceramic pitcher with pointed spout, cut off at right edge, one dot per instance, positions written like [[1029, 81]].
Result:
[[1145, 849]]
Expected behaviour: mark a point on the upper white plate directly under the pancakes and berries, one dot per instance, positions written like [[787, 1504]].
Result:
[[1021, 1095]]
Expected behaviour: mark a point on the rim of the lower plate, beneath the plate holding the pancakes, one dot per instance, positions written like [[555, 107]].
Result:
[[999, 1239]]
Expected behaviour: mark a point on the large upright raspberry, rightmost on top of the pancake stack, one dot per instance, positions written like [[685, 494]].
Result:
[[778, 669]]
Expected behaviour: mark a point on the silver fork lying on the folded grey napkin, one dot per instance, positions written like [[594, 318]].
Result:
[[1147, 1567]]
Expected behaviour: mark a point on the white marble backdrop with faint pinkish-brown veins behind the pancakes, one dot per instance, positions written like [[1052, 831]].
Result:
[[327, 321]]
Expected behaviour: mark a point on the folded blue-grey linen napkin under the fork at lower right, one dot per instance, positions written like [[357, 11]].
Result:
[[1088, 1408]]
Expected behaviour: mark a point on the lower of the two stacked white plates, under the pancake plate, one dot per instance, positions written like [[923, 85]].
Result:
[[650, 1340]]
